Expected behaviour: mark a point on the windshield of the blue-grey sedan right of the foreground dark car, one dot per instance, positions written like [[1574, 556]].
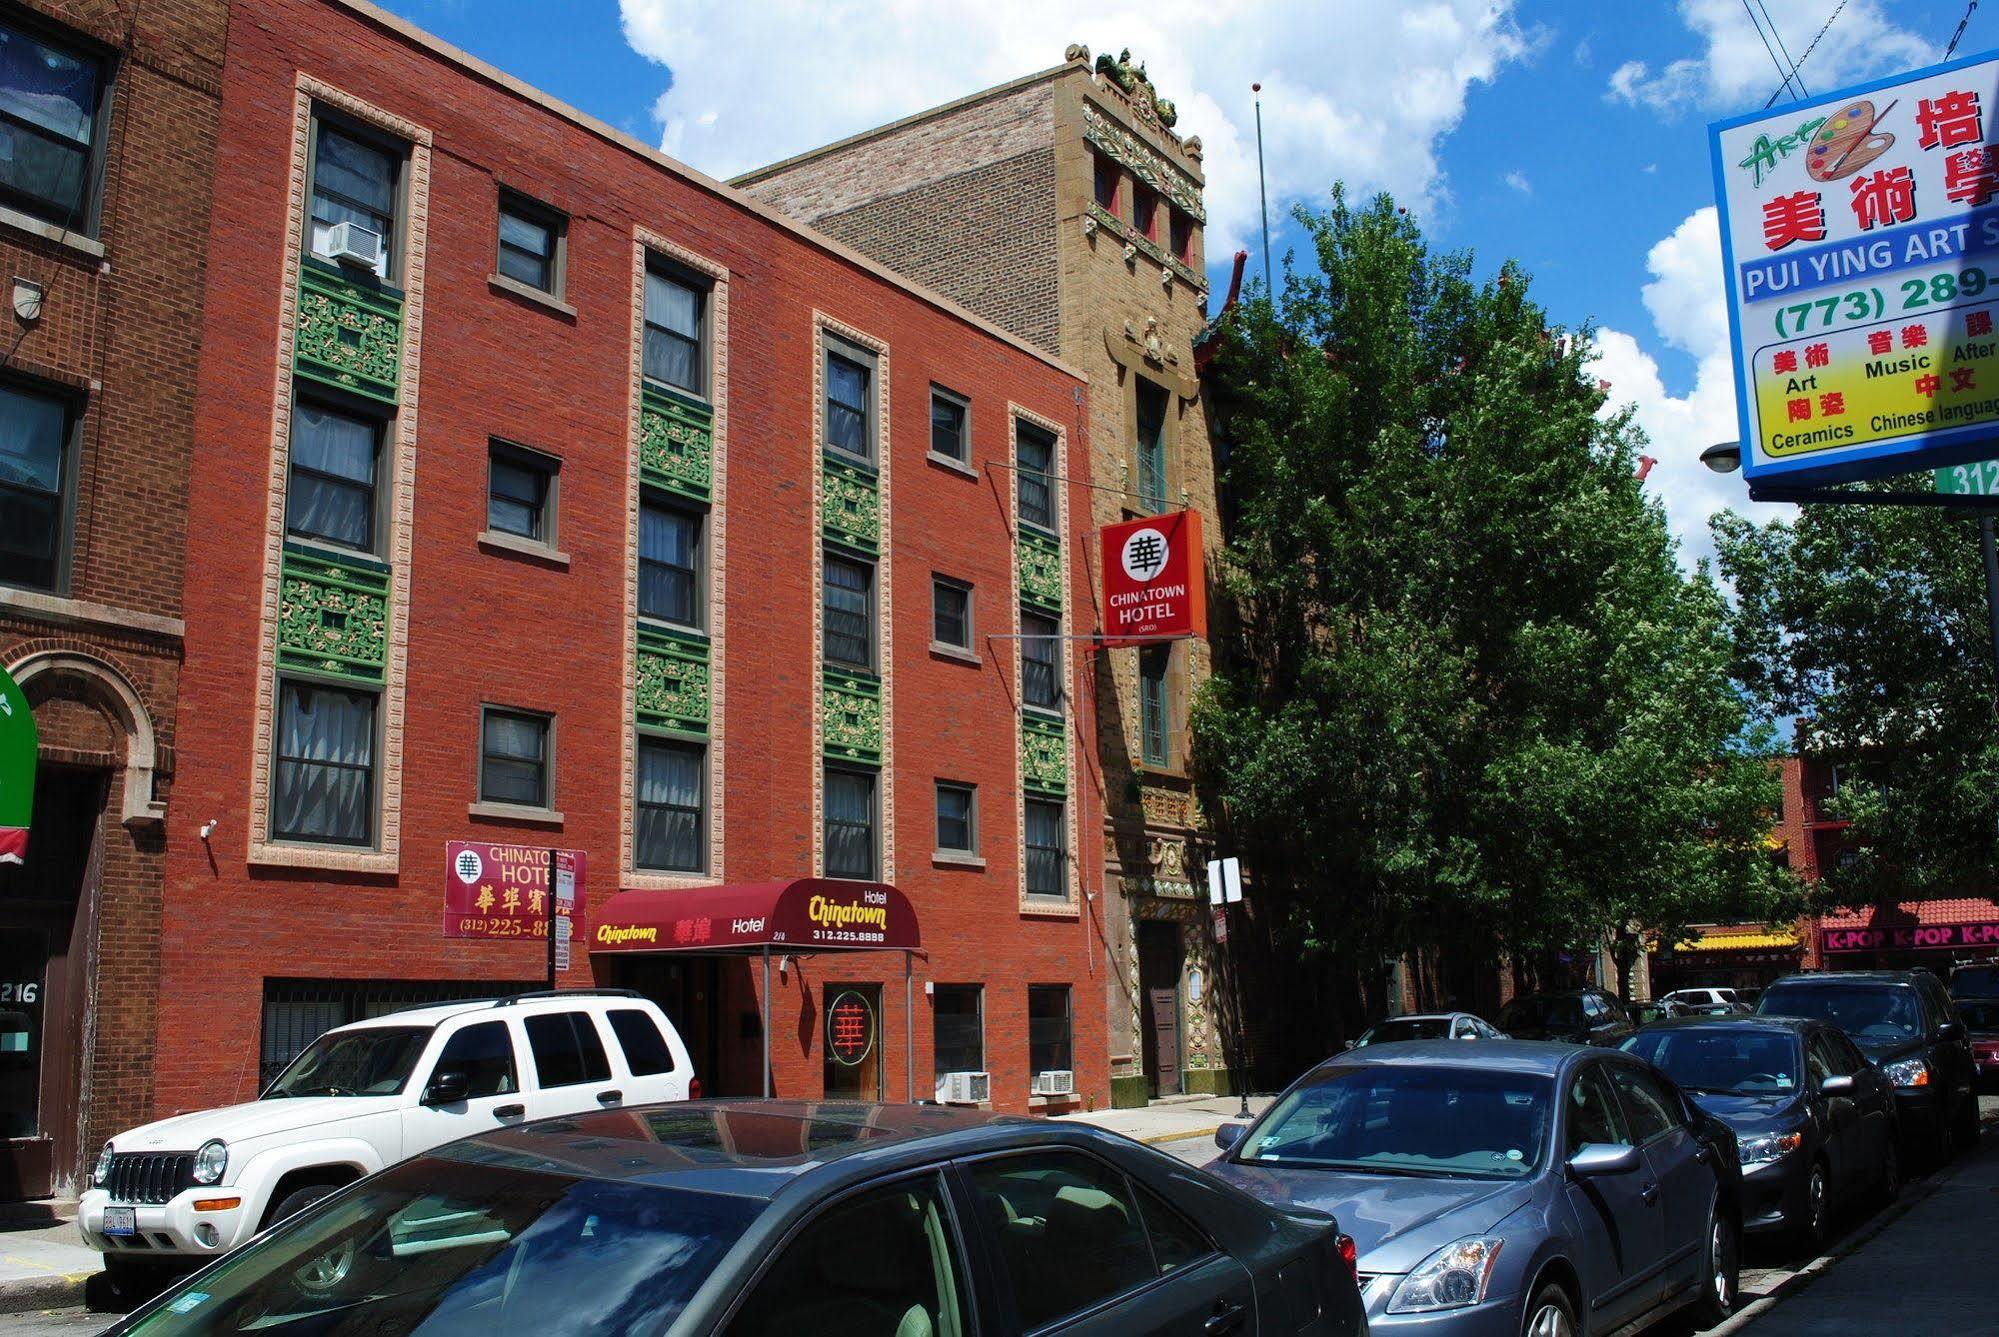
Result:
[[1392, 1120]]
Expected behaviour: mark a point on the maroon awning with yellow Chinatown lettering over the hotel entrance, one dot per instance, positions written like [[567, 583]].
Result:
[[803, 914]]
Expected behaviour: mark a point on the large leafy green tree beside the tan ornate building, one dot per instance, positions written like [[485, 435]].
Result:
[[1464, 696]]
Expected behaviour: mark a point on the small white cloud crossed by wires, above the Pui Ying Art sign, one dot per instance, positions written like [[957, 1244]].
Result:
[[1736, 71]]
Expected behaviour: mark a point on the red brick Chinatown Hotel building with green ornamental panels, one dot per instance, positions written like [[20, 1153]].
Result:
[[559, 497]]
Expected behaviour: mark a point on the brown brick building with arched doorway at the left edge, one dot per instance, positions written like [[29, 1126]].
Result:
[[109, 117]]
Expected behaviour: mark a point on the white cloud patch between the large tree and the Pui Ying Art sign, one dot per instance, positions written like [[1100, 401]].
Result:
[[1690, 315]]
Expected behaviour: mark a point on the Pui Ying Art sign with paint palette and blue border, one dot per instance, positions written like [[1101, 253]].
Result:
[[1860, 233]]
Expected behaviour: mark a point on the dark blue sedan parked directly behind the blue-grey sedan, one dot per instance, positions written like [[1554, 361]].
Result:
[[1814, 1120]]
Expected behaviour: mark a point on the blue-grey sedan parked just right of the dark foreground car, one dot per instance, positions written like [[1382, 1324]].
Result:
[[1508, 1188]]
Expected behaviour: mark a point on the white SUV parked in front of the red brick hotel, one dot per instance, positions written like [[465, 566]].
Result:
[[365, 1096]]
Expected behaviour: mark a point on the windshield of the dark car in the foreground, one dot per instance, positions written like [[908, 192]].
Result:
[[459, 1250]]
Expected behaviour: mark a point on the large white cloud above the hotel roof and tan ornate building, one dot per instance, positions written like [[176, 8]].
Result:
[[1352, 89]]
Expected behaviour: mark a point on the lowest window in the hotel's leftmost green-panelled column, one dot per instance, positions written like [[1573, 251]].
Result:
[[327, 758]]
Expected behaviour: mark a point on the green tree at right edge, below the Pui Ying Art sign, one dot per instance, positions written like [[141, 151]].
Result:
[[1868, 625]]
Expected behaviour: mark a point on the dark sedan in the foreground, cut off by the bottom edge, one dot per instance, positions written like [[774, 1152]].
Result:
[[779, 1220]]
